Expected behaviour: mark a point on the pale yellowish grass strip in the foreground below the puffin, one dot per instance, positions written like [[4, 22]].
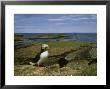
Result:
[[78, 68]]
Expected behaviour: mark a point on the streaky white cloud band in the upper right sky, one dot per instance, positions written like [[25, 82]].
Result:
[[75, 17]]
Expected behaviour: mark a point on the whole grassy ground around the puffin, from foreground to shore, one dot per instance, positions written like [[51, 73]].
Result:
[[77, 66]]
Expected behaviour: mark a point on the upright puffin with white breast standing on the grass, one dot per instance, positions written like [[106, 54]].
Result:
[[42, 57]]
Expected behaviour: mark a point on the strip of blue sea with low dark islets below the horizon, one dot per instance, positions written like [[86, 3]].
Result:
[[29, 38]]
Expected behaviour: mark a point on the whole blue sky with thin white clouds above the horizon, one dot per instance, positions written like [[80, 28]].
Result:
[[55, 23]]
